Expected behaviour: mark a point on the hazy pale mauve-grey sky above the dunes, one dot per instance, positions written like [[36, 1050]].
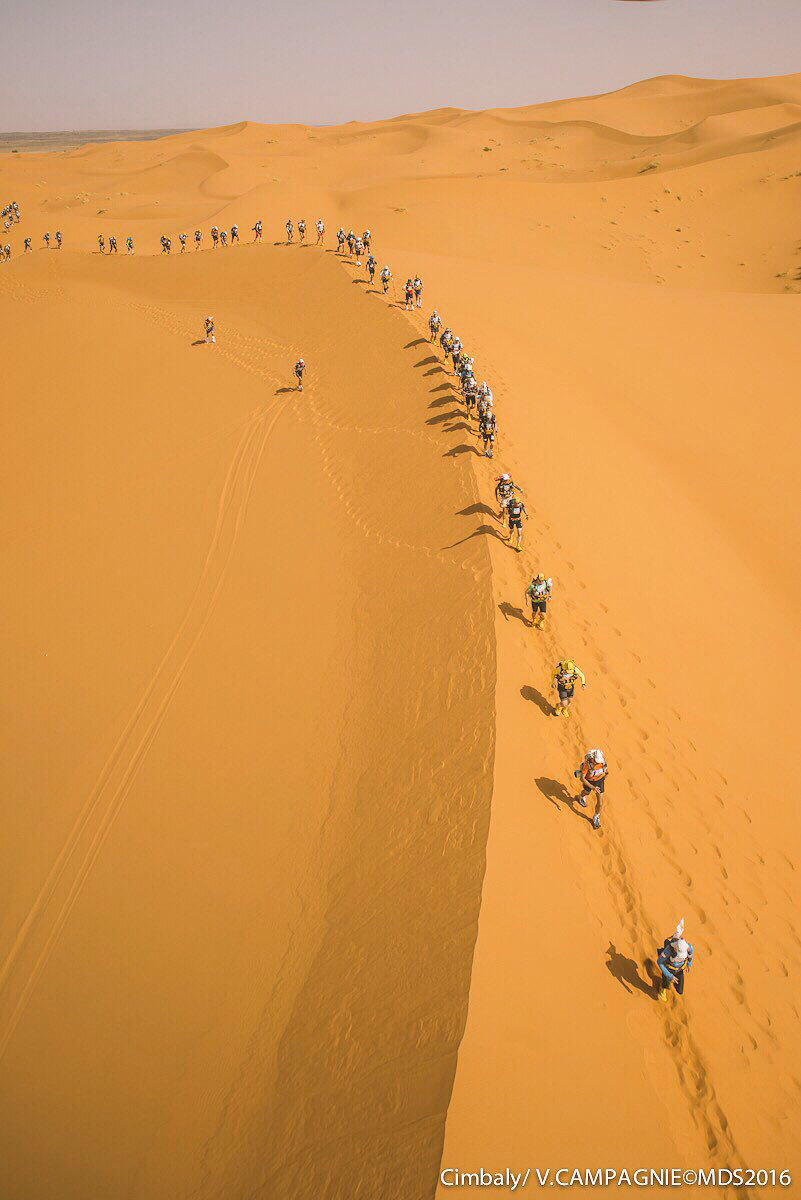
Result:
[[113, 64]]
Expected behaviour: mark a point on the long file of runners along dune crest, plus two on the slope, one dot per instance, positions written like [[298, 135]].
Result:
[[674, 958]]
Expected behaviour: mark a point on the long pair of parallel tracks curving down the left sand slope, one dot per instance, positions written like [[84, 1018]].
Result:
[[49, 915]]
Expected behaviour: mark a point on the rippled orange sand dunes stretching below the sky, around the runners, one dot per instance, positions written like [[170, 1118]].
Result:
[[297, 901]]
